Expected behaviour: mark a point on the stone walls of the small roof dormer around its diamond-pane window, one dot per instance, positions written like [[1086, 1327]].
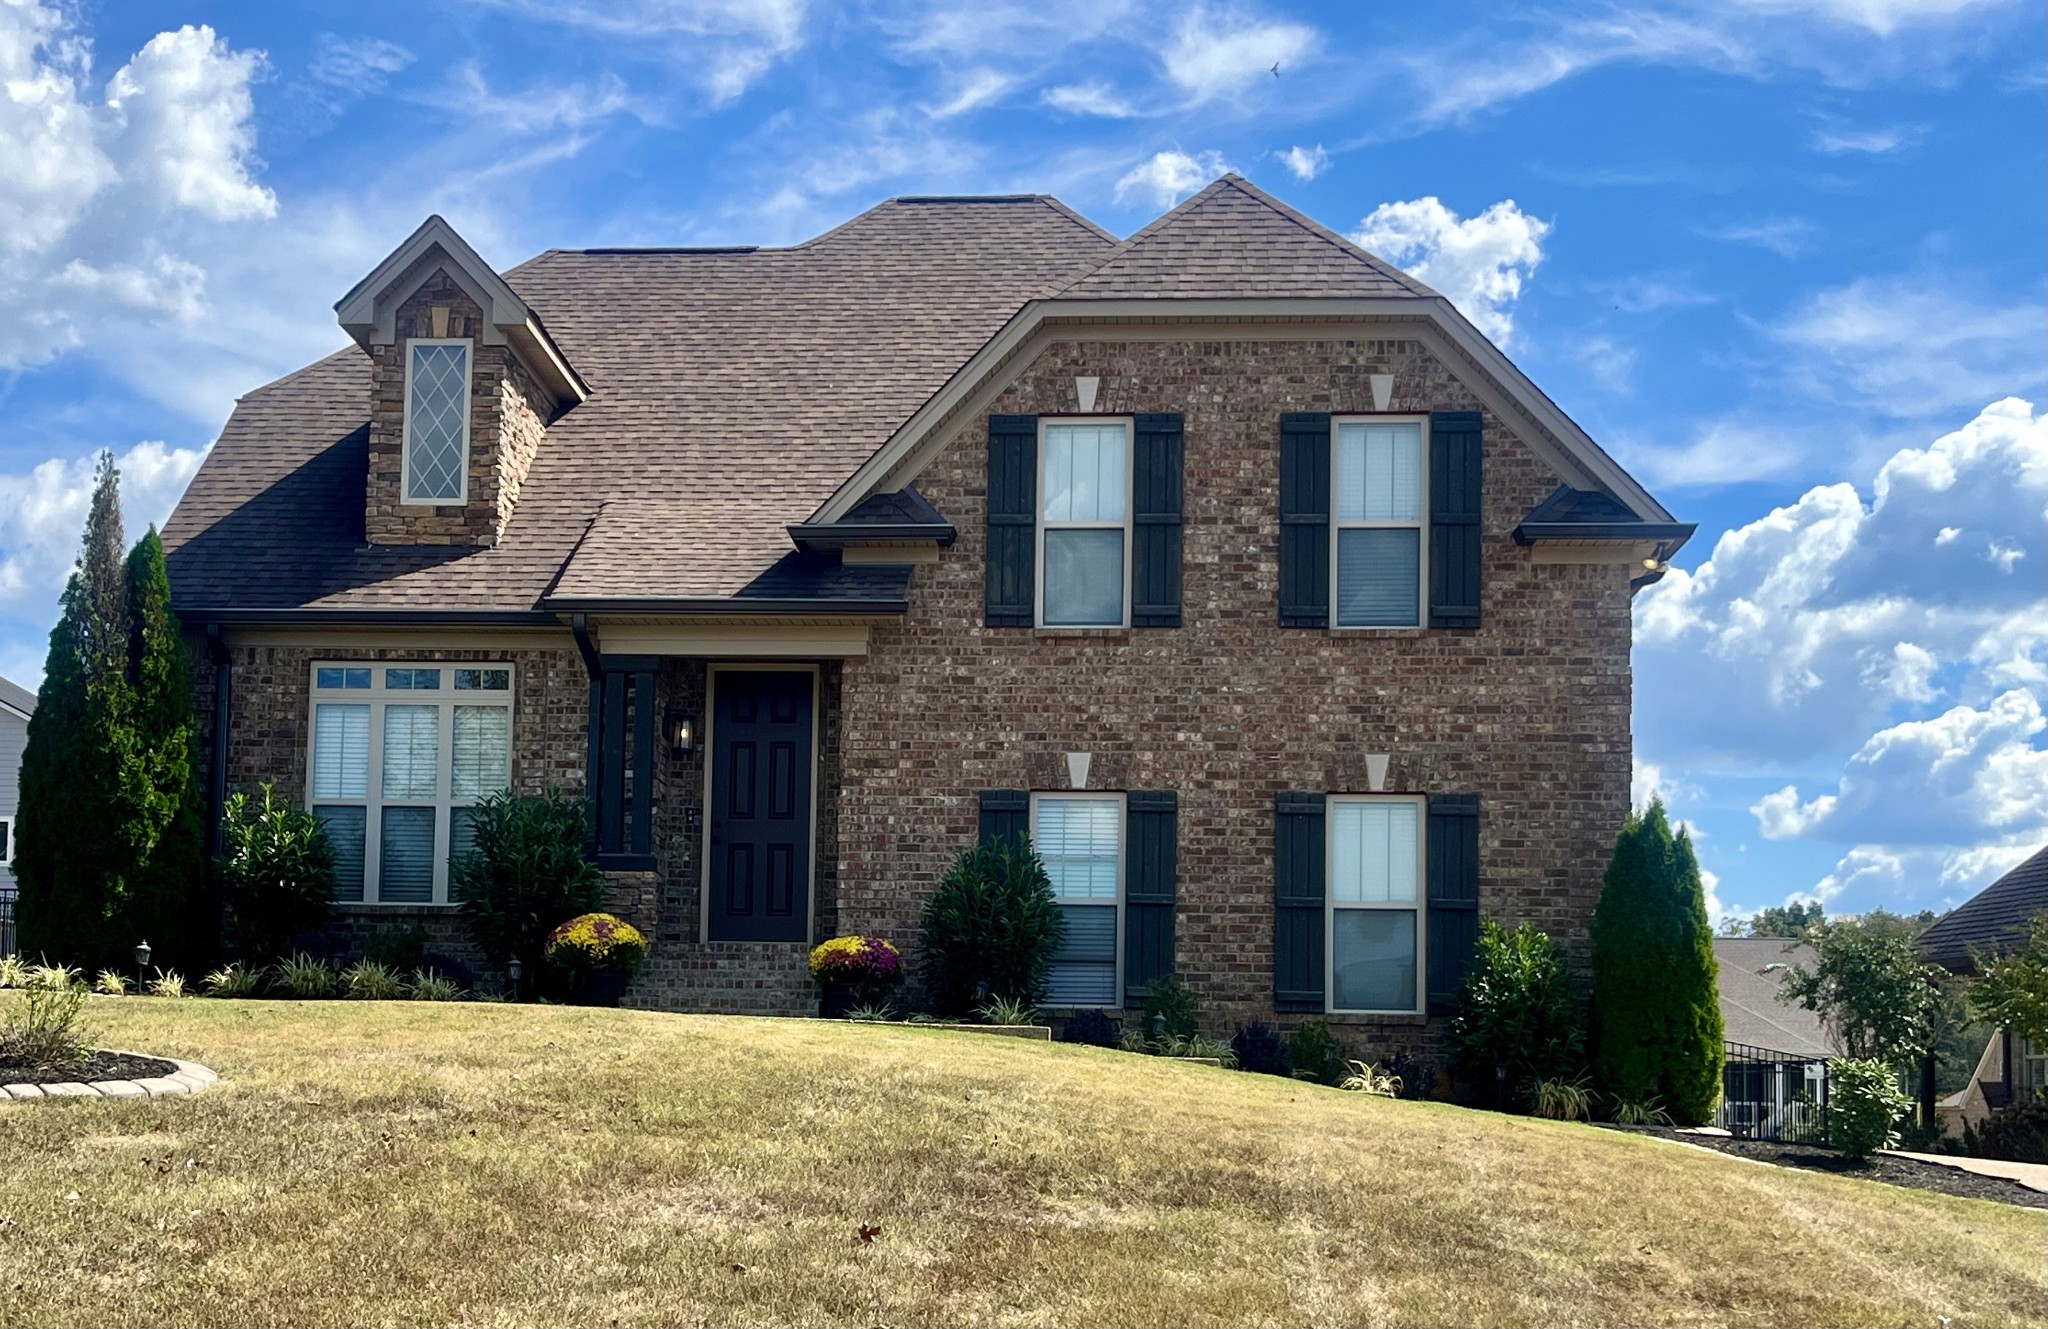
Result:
[[507, 421]]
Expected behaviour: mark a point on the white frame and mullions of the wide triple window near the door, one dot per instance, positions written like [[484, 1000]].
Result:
[[378, 697]]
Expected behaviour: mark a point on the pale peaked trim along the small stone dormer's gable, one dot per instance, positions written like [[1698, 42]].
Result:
[[370, 310]]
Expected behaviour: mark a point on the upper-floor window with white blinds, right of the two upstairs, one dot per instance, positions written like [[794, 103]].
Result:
[[1379, 515]]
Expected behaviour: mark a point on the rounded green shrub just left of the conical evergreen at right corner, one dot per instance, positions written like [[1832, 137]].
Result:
[[1517, 1011]]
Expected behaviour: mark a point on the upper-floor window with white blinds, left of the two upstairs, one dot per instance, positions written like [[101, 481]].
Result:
[[1084, 523]]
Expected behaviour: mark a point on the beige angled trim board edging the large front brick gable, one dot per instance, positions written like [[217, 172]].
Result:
[[1435, 323]]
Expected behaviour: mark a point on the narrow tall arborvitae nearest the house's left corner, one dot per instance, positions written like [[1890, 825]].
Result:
[[165, 820]]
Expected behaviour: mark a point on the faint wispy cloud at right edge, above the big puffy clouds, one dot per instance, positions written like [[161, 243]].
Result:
[[1912, 347]]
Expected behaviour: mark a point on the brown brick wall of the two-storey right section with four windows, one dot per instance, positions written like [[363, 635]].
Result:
[[1529, 712]]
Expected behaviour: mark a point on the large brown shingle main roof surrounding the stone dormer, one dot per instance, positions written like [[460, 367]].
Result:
[[730, 392]]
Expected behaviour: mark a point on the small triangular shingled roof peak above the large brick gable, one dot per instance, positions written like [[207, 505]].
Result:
[[1236, 241]]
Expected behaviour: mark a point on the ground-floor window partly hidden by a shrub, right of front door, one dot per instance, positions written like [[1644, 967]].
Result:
[[1080, 839]]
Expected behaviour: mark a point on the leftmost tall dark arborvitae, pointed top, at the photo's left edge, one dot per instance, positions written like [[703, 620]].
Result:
[[69, 867]]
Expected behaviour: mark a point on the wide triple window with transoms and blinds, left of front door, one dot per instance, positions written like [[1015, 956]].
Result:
[[400, 755]]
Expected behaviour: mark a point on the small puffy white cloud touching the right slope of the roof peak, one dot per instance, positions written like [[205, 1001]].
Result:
[[1478, 263]]
